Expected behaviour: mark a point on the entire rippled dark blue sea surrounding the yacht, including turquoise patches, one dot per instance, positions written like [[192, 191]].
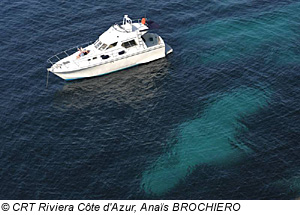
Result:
[[217, 119]]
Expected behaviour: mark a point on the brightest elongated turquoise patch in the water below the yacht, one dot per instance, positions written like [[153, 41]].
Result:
[[209, 139]]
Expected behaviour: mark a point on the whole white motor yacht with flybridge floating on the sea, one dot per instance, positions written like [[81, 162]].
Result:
[[121, 46]]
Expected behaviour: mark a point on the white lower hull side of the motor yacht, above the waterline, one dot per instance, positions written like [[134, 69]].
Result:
[[123, 62]]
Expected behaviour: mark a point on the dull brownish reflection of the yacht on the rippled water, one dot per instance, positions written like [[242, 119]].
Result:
[[131, 87]]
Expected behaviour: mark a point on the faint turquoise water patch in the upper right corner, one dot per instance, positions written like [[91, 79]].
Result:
[[235, 37]]
